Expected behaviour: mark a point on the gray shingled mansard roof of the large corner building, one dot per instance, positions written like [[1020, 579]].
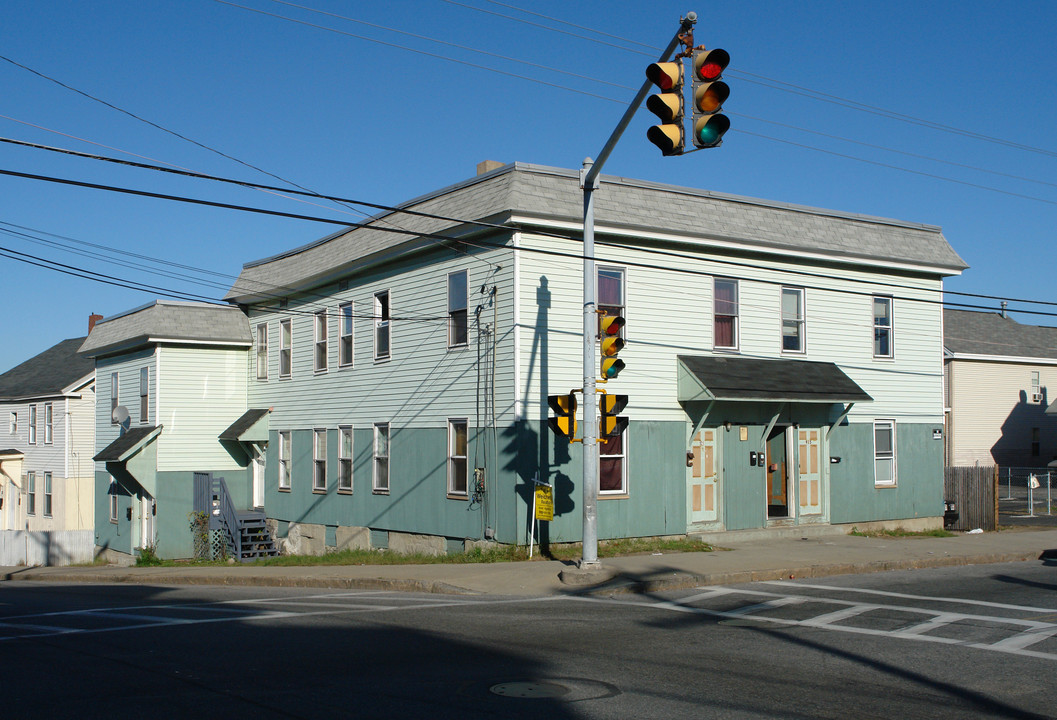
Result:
[[549, 195]]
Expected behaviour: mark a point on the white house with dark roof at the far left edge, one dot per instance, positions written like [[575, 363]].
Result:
[[48, 411]]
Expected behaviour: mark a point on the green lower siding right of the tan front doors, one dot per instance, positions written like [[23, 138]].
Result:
[[919, 491]]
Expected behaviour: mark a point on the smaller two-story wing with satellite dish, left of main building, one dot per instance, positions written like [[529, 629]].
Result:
[[172, 379]]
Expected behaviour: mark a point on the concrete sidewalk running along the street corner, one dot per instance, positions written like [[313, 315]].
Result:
[[741, 561]]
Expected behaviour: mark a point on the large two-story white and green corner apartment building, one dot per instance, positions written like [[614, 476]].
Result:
[[784, 364]]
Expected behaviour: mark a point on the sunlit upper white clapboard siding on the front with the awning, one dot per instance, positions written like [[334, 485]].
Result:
[[670, 313]]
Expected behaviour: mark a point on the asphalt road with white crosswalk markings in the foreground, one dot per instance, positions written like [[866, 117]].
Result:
[[970, 642]]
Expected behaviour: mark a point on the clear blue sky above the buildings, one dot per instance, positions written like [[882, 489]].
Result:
[[934, 113]]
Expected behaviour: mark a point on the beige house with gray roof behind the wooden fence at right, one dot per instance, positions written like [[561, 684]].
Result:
[[999, 377]]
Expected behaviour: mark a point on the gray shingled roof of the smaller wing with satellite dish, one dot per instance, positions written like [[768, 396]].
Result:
[[169, 321]]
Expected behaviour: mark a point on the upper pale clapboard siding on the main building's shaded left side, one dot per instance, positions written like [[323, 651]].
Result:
[[423, 383]]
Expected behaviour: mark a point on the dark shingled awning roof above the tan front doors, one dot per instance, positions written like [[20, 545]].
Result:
[[753, 379]]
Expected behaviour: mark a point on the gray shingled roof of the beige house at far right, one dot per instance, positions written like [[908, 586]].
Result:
[[976, 334]]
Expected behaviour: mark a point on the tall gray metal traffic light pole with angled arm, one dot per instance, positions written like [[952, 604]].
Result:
[[589, 181]]
